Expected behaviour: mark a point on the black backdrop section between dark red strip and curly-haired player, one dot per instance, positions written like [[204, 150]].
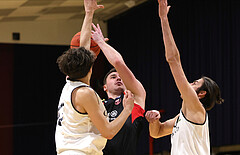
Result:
[[37, 87]]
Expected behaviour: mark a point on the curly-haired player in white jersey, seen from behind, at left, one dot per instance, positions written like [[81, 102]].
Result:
[[82, 124]]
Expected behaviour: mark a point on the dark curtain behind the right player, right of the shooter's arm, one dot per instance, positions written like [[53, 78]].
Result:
[[207, 33]]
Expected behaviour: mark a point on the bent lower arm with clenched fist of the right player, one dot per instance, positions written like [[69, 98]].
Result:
[[158, 129]]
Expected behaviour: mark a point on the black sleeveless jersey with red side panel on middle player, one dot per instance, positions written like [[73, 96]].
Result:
[[125, 141]]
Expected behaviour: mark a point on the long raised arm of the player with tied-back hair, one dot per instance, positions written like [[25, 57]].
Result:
[[190, 98]]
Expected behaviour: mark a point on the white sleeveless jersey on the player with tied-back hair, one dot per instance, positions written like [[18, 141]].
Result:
[[190, 138]]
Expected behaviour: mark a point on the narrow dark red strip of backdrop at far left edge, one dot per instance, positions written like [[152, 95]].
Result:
[[6, 96]]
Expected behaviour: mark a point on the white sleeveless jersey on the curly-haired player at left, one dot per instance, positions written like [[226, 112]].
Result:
[[75, 132]]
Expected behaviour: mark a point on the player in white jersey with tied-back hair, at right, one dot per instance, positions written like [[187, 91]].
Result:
[[189, 129]]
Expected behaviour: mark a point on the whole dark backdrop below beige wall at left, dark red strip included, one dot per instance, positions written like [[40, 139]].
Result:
[[31, 84]]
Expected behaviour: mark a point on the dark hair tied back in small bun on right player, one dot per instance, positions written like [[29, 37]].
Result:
[[213, 94]]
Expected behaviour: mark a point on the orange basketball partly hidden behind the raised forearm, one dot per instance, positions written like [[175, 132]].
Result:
[[76, 40]]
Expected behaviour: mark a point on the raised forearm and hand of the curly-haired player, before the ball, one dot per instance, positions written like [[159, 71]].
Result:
[[90, 6]]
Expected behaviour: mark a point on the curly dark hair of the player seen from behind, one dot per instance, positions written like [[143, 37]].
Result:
[[76, 62]]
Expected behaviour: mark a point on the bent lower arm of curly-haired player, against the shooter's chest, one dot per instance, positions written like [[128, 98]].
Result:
[[86, 101]]
